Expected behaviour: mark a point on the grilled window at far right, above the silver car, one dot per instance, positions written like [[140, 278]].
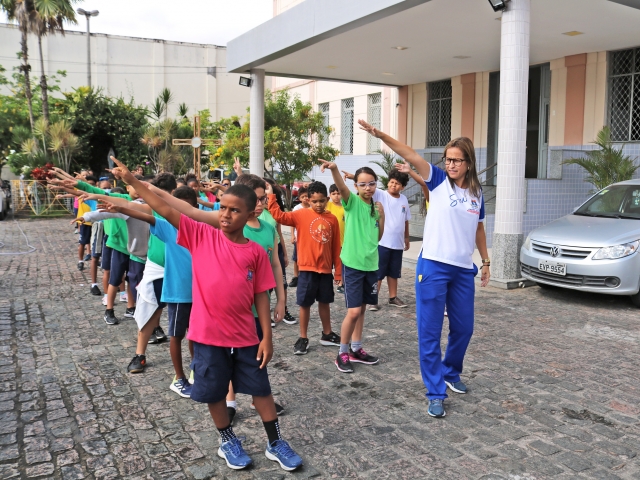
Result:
[[624, 98]]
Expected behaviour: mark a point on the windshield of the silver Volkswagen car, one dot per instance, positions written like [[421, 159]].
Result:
[[617, 201]]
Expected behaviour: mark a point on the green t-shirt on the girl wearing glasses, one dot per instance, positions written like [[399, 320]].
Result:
[[360, 247]]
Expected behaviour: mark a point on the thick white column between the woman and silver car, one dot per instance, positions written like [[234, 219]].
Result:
[[512, 142]]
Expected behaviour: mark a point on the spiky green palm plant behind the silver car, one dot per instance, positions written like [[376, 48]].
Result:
[[607, 165]]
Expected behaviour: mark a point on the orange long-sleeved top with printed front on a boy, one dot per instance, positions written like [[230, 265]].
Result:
[[318, 238]]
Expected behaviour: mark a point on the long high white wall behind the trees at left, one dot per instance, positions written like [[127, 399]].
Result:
[[136, 67]]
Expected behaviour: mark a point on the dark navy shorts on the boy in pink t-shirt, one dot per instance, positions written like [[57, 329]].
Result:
[[213, 368]]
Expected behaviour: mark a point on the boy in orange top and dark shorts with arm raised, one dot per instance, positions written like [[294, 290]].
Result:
[[318, 253]]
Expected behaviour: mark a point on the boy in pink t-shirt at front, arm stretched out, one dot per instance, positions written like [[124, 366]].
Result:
[[224, 333]]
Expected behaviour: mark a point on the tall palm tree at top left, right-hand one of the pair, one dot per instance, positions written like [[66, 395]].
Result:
[[49, 18]]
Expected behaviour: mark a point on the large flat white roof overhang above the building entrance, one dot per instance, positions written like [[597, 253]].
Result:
[[356, 40]]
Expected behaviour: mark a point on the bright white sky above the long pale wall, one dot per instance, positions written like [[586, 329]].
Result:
[[199, 21]]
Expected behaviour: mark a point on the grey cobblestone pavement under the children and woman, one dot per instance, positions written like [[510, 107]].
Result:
[[553, 379]]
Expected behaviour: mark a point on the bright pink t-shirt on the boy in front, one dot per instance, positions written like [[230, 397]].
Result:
[[226, 275]]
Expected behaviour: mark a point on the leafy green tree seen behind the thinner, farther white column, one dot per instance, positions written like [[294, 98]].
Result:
[[295, 138]]
